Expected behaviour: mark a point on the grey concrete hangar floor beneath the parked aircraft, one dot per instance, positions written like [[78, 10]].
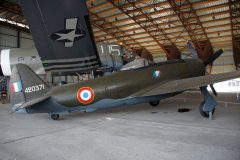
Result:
[[127, 133]]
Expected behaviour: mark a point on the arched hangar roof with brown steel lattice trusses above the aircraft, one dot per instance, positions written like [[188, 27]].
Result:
[[161, 27]]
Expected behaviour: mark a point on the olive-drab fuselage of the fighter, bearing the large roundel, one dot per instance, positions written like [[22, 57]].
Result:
[[123, 84]]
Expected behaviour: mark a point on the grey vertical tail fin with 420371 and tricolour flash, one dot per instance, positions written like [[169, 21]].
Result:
[[25, 86]]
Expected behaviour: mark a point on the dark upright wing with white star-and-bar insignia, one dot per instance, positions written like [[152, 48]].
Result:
[[62, 34]]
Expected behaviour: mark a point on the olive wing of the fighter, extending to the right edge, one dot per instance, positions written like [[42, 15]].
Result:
[[185, 84]]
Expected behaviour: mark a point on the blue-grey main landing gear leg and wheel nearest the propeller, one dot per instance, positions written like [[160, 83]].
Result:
[[207, 107]]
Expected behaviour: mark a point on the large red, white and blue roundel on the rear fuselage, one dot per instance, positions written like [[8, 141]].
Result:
[[85, 95]]
